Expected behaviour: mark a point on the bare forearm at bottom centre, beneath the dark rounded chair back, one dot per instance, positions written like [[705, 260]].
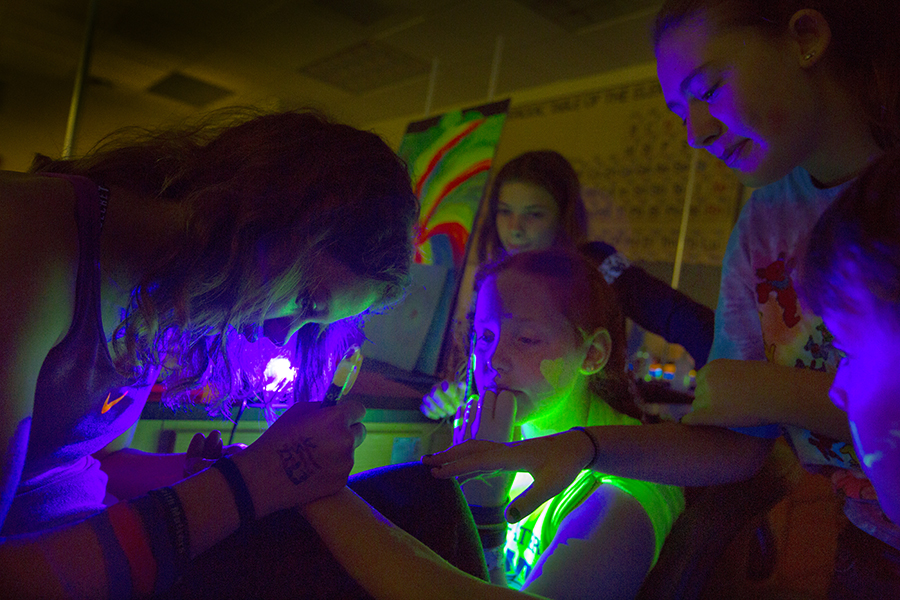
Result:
[[388, 562]]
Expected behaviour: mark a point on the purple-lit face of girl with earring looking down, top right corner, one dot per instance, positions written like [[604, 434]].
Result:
[[761, 103]]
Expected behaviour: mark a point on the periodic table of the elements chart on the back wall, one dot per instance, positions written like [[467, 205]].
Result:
[[633, 161]]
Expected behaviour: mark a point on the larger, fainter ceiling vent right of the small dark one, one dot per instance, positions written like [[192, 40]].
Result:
[[365, 67]]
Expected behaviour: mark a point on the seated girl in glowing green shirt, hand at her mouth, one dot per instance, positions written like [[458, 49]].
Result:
[[548, 354]]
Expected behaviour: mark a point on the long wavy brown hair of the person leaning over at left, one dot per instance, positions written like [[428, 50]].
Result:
[[262, 193]]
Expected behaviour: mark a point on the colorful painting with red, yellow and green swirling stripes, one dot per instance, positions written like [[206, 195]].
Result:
[[450, 160]]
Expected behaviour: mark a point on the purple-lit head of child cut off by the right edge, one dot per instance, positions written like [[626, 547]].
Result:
[[851, 276]]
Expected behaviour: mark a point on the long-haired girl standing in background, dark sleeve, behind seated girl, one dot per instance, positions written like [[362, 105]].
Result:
[[535, 203]]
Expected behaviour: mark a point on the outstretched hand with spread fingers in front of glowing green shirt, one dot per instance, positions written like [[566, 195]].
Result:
[[554, 461]]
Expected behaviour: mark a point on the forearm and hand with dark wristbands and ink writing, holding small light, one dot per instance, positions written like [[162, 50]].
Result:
[[137, 547]]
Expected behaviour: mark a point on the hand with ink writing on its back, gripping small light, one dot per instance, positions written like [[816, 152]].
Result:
[[307, 453]]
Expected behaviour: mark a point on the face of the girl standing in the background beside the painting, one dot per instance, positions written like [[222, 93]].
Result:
[[527, 217]]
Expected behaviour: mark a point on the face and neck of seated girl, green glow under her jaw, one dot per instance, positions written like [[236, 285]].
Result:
[[524, 344]]
